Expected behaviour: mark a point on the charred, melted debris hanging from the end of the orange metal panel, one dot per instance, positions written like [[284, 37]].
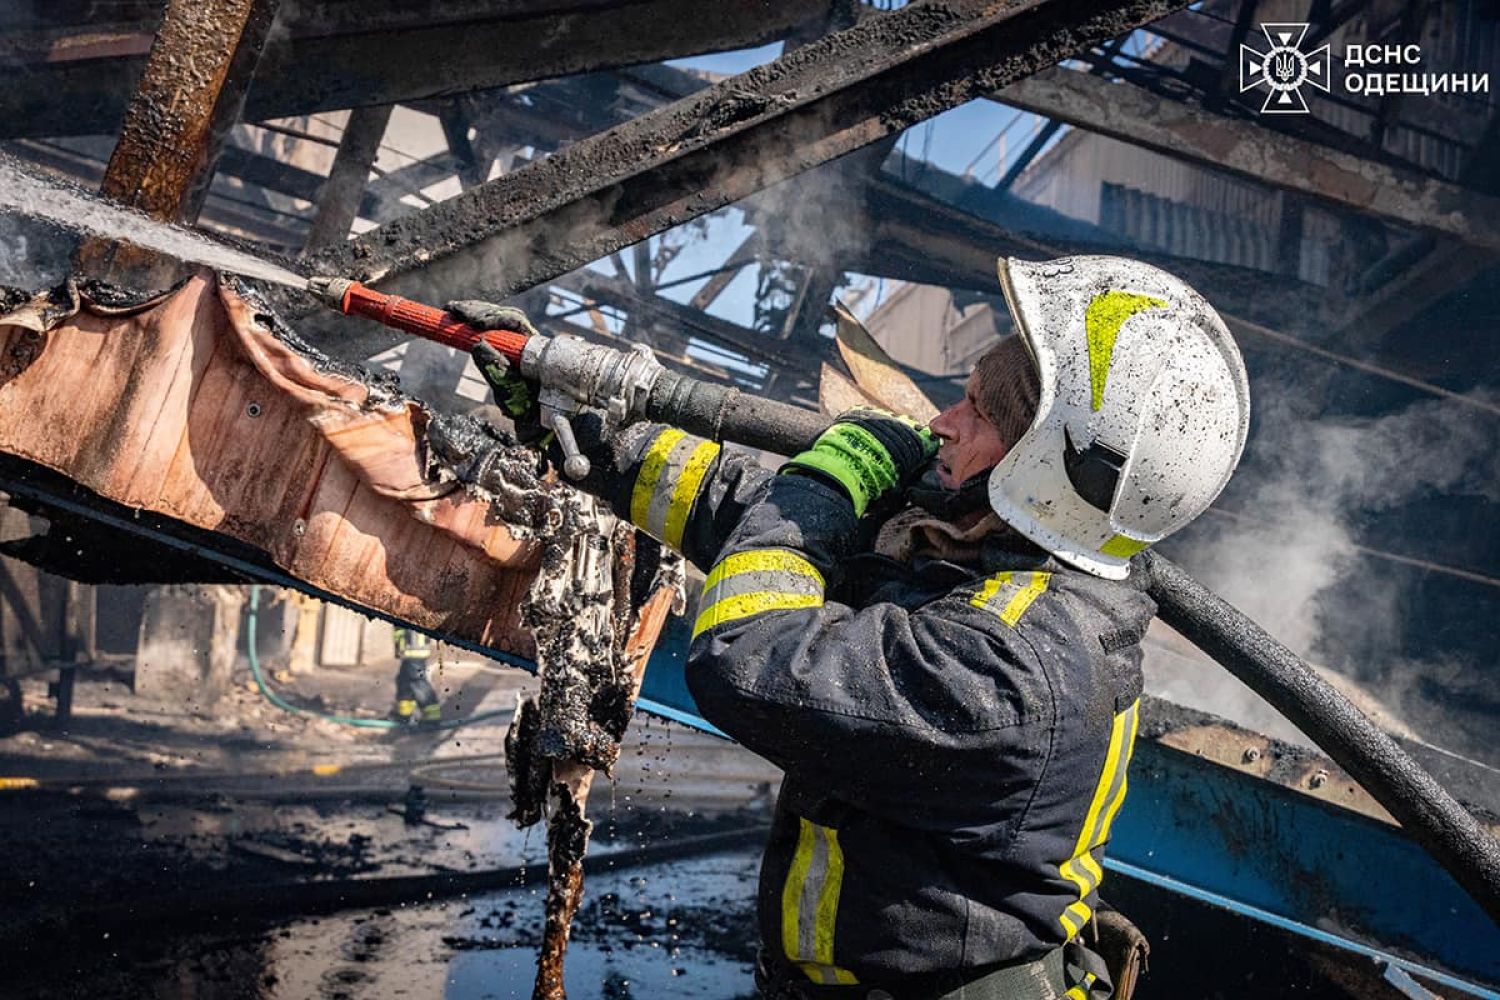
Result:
[[595, 609]]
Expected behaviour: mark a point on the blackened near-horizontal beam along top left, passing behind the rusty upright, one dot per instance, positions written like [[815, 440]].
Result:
[[325, 67]]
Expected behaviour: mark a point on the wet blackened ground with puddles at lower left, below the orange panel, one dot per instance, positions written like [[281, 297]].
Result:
[[172, 854]]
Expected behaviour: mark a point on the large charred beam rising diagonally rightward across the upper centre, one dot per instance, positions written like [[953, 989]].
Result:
[[710, 149]]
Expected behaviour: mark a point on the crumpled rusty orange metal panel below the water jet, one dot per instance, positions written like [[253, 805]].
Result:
[[194, 410]]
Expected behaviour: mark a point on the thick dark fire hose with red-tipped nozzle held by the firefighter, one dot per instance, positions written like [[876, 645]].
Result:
[[631, 385]]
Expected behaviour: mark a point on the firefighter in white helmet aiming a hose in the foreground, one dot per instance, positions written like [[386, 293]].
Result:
[[935, 633]]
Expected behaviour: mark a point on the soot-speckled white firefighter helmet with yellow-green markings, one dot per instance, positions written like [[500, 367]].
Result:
[[1142, 415]]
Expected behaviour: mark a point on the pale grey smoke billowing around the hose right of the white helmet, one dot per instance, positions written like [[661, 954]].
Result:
[[1289, 546]]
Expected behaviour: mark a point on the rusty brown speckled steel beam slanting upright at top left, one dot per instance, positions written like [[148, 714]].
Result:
[[191, 95]]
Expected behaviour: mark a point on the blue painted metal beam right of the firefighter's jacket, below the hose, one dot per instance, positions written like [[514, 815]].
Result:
[[1274, 849]]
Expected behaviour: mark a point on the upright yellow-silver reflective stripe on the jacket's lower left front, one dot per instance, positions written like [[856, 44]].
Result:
[[811, 905]]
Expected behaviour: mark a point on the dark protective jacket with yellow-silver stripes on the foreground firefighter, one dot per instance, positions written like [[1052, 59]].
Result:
[[955, 740]]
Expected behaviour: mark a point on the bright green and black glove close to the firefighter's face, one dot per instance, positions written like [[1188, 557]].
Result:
[[868, 454]]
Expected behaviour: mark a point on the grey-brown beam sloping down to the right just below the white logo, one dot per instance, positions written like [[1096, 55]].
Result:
[[1135, 116]]
